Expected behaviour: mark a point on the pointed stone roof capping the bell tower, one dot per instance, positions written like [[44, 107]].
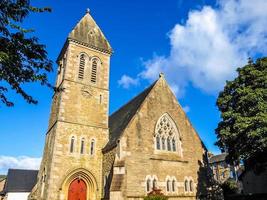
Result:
[[88, 33]]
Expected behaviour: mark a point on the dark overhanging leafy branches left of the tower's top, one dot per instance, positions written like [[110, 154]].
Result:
[[22, 58]]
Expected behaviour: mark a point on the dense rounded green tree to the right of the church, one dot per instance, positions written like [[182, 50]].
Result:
[[242, 131]]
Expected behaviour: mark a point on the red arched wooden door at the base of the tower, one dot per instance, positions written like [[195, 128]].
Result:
[[77, 190]]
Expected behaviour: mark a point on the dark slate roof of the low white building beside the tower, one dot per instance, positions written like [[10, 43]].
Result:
[[20, 180]]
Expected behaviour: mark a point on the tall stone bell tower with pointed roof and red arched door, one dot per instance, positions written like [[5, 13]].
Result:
[[78, 125]]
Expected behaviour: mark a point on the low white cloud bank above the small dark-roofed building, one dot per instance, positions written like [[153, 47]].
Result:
[[21, 162]]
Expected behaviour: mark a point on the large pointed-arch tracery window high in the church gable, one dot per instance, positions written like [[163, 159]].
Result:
[[167, 136]]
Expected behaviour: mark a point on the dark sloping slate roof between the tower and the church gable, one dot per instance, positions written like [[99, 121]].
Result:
[[119, 120]]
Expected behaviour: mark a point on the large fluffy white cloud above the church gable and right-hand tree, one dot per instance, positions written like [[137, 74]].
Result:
[[206, 50]]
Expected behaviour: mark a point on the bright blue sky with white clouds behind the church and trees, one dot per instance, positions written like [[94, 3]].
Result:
[[198, 44]]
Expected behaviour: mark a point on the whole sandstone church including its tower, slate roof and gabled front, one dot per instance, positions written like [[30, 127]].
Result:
[[148, 144]]
